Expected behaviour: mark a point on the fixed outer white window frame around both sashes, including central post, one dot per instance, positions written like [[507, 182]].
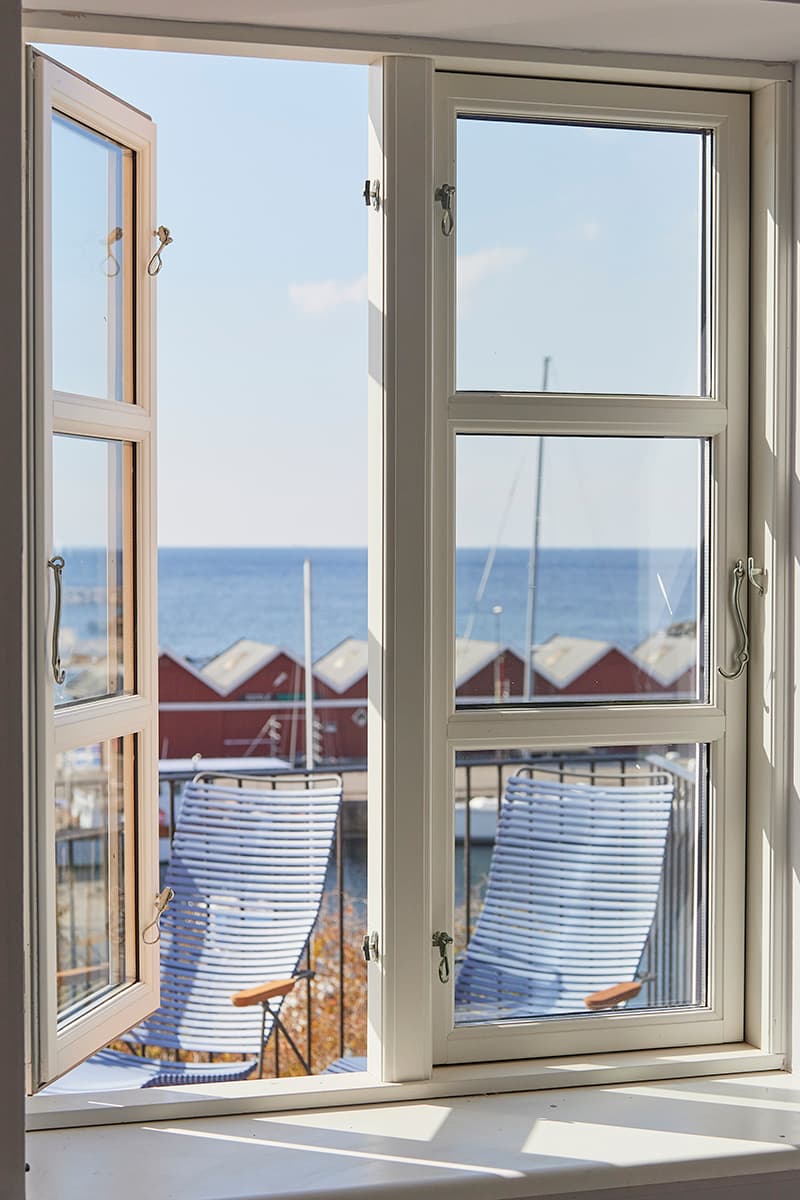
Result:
[[405, 139]]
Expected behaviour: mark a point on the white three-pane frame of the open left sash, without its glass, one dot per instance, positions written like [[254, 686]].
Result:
[[56, 1049]]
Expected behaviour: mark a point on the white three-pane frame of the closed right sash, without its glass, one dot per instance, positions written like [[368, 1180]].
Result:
[[723, 419]]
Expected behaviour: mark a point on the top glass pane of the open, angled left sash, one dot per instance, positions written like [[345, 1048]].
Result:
[[92, 262]]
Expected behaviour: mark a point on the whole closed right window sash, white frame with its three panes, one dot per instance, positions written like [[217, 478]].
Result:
[[591, 407]]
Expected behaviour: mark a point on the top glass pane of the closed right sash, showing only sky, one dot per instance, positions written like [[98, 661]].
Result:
[[584, 247]]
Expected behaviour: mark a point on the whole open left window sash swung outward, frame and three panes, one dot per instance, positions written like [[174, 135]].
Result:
[[94, 831]]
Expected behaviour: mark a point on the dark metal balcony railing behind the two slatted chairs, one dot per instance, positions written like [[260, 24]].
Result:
[[329, 1018]]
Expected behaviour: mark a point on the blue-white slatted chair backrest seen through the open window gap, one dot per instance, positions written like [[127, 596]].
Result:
[[249, 868]]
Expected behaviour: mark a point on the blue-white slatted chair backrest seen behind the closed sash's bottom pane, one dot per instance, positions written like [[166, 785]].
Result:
[[570, 899]]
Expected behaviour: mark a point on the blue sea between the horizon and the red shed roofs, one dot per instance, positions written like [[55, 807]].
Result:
[[209, 598]]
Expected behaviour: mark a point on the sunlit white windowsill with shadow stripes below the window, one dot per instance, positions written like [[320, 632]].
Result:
[[524, 1144]]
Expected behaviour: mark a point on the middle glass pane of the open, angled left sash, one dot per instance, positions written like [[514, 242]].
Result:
[[93, 526]]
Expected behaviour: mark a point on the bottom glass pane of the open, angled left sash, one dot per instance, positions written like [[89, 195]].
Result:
[[93, 793]]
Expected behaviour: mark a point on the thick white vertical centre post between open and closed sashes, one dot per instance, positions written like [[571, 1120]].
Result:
[[399, 625]]
